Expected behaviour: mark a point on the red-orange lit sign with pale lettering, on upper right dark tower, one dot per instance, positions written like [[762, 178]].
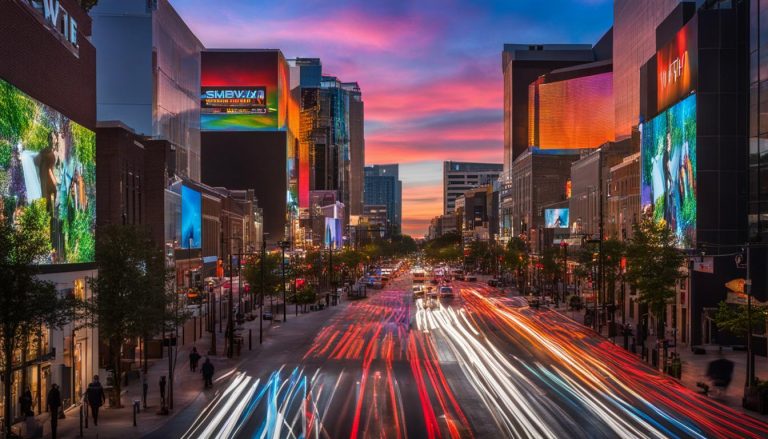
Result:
[[676, 67]]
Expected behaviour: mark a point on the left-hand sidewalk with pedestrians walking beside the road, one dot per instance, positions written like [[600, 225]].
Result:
[[188, 385]]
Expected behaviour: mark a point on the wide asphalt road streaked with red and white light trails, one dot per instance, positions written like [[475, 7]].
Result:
[[478, 365]]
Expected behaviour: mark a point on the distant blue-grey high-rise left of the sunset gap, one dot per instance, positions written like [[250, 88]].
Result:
[[383, 186]]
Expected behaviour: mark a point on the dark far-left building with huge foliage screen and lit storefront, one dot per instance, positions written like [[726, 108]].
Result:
[[48, 166]]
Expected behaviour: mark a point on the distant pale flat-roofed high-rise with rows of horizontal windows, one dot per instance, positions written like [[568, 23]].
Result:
[[458, 177]]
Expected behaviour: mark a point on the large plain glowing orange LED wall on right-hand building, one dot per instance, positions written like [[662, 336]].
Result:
[[575, 113]]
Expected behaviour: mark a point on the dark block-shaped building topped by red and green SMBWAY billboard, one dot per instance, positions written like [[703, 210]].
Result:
[[248, 140]]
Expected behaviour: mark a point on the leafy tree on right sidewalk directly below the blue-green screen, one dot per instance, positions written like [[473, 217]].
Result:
[[653, 265]]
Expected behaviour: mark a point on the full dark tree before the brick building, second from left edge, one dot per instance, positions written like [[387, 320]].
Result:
[[133, 296]]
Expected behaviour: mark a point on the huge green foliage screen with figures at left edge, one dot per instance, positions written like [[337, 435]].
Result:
[[48, 175]]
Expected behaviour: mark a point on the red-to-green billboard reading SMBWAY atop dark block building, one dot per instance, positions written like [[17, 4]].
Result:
[[242, 91]]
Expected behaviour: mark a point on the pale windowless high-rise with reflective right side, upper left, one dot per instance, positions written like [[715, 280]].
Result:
[[148, 75]]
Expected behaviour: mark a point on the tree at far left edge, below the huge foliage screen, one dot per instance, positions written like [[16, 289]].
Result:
[[27, 304]]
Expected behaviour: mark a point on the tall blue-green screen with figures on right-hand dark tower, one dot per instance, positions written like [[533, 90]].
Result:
[[668, 150]]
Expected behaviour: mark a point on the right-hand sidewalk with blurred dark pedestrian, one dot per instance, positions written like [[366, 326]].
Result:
[[694, 367]]
